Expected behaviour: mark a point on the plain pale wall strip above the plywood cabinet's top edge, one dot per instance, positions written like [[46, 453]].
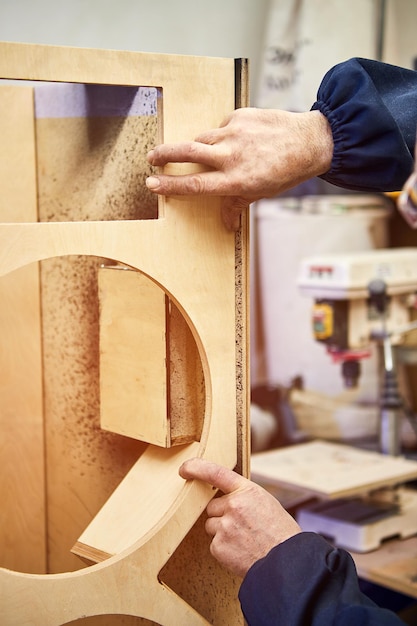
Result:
[[225, 28]]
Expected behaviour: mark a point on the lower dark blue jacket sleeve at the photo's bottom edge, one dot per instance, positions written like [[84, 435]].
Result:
[[307, 582]]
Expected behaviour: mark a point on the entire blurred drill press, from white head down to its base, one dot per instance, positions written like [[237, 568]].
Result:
[[360, 298]]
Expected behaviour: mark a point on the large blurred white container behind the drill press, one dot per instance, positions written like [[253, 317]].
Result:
[[287, 230]]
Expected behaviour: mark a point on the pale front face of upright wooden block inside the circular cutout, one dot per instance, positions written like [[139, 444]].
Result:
[[133, 355]]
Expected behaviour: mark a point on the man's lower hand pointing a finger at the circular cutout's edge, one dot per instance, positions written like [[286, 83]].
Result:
[[246, 522]]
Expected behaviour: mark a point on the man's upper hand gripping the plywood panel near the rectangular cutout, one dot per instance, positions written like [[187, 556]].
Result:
[[256, 153]]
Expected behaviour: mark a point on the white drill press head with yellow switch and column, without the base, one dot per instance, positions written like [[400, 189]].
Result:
[[360, 298]]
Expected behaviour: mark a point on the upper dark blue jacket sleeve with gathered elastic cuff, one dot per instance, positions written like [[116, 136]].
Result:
[[372, 110]]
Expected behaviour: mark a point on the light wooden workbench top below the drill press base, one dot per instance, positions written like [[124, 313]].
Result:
[[393, 565]]
